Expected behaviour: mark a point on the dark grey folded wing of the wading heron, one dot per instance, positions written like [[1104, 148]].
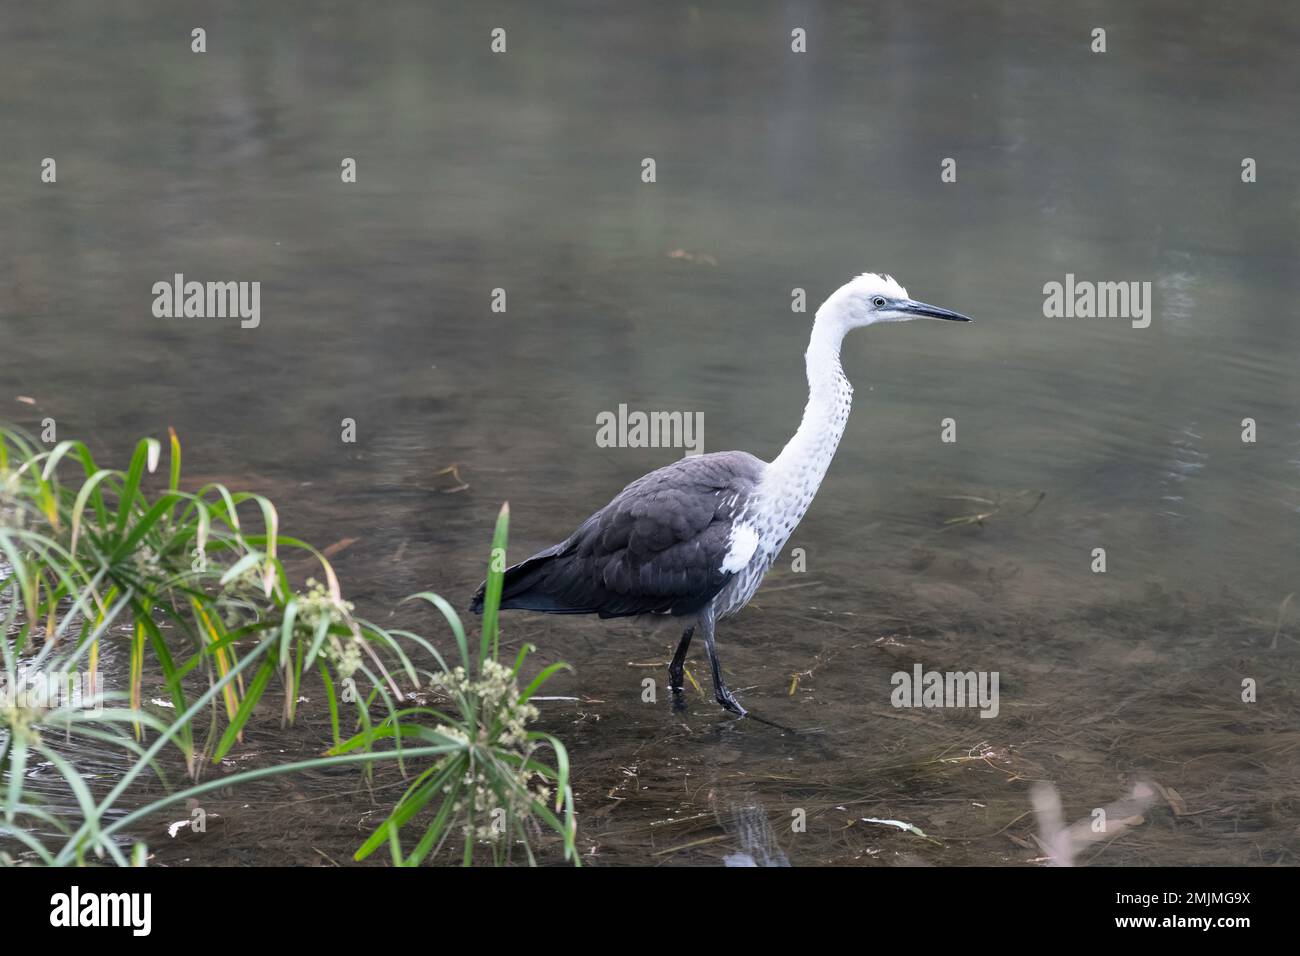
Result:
[[658, 548]]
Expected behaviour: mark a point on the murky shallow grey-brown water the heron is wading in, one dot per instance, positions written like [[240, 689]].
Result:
[[774, 171]]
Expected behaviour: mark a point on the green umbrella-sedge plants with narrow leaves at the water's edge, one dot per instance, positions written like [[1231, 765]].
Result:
[[192, 586]]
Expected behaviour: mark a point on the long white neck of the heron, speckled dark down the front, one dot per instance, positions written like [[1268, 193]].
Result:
[[795, 475]]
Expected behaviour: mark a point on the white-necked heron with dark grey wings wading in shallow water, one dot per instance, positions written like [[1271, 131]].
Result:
[[694, 540]]
